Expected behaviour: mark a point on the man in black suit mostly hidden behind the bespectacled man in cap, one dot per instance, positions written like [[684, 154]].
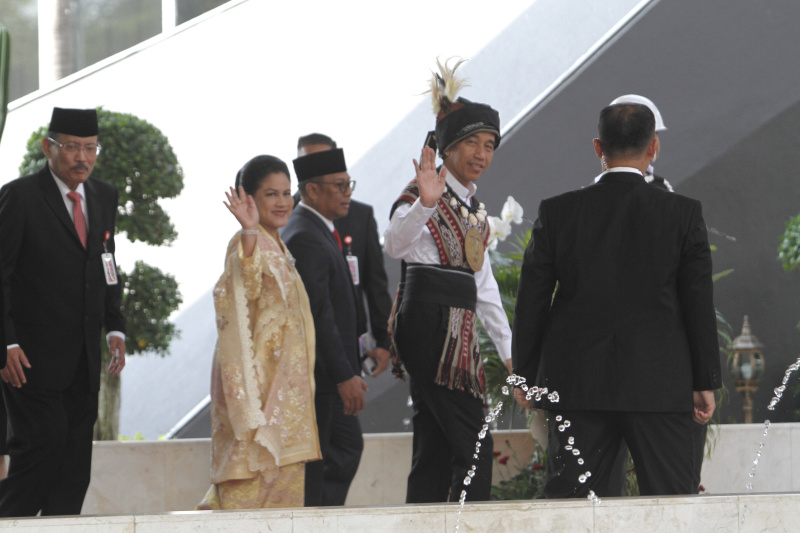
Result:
[[359, 234]]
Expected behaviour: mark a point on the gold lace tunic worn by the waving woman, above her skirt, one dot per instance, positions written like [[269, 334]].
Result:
[[262, 384]]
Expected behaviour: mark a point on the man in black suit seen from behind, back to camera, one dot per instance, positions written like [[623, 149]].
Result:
[[629, 339]]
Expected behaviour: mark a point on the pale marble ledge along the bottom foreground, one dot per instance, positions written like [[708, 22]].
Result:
[[774, 512]]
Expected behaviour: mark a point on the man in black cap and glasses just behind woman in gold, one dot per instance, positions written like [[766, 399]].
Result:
[[325, 189]]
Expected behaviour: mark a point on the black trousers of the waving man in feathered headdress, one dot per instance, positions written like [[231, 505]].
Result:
[[446, 422]]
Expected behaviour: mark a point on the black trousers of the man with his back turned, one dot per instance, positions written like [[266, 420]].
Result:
[[661, 444]]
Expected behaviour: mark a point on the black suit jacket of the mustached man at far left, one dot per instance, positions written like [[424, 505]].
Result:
[[57, 301]]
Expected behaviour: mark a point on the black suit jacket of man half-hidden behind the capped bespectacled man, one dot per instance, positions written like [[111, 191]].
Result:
[[360, 225]]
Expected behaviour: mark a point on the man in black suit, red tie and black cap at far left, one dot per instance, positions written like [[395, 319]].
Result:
[[57, 242]]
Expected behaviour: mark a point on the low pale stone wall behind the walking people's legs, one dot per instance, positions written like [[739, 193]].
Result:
[[157, 476]]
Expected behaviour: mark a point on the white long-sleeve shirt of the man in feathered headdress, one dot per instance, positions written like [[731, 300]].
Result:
[[408, 238]]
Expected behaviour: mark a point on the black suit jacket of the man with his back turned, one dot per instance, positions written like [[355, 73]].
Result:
[[632, 325]]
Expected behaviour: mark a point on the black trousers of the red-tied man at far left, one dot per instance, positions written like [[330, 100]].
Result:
[[50, 445]]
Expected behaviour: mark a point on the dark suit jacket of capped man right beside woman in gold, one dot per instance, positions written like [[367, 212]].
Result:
[[330, 291]]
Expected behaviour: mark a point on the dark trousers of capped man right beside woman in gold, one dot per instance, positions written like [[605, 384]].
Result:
[[328, 480]]
